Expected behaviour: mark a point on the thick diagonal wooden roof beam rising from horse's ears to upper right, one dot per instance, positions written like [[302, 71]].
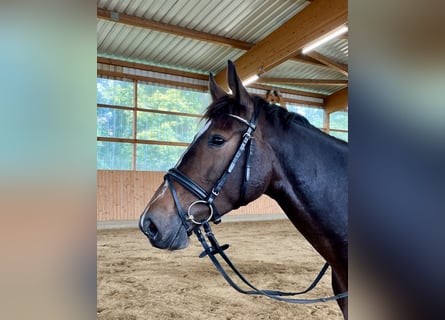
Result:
[[314, 21]]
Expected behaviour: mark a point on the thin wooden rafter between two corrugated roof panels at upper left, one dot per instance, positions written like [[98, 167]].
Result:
[[172, 29]]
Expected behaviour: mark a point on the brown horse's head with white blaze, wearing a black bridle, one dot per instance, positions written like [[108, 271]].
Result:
[[224, 167]]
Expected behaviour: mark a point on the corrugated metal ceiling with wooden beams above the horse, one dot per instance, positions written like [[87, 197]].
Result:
[[262, 37]]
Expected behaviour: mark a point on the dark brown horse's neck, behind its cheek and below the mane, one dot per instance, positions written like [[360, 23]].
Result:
[[310, 185]]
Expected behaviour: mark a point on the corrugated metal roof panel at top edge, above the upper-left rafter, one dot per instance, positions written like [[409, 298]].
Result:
[[238, 19]]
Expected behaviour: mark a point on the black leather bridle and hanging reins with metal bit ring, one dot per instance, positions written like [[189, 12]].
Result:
[[192, 225]]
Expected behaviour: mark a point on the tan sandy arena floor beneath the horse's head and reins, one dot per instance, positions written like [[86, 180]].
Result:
[[137, 281]]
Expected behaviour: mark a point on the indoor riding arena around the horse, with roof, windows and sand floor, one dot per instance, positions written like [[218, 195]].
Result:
[[153, 64]]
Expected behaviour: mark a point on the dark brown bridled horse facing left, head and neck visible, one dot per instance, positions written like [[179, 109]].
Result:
[[247, 148]]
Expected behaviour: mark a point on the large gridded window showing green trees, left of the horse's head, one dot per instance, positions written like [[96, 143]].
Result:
[[145, 127]]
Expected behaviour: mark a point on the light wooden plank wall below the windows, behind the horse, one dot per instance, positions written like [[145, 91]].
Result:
[[123, 195]]
